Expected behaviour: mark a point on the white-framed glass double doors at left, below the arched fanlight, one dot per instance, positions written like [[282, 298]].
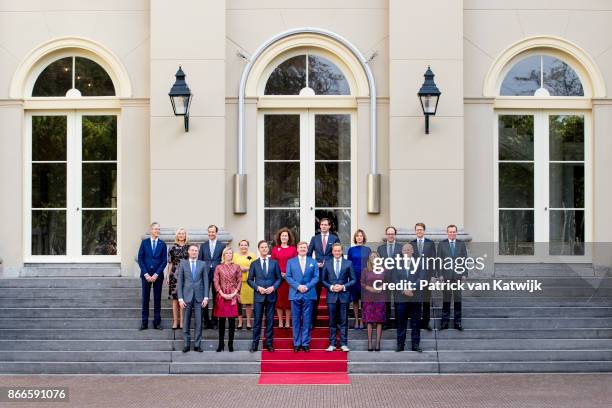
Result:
[[71, 195]]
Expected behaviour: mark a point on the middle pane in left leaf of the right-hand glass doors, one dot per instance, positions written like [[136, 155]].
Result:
[[516, 185]]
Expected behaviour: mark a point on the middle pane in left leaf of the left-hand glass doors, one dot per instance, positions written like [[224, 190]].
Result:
[[48, 185]]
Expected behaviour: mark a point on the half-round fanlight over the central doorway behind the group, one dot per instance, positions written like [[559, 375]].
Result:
[[307, 74]]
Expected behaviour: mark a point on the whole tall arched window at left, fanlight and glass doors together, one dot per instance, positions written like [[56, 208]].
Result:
[[72, 161]]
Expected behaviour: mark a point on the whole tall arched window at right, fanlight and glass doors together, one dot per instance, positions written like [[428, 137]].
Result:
[[542, 163]]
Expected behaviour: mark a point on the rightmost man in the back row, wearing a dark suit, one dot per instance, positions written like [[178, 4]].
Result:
[[453, 249]]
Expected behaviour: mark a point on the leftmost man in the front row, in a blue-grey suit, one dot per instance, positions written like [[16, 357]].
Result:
[[192, 292]]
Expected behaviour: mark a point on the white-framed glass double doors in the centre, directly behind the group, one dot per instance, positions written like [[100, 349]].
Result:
[[305, 162]]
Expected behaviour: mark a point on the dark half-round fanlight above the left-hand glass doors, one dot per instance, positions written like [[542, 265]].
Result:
[[73, 76]]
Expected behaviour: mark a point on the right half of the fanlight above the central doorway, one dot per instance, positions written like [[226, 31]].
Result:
[[325, 78]]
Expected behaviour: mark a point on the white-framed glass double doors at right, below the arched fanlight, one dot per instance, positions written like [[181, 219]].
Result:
[[543, 185]]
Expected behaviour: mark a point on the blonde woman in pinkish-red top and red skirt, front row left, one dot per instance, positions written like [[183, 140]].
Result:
[[227, 281]]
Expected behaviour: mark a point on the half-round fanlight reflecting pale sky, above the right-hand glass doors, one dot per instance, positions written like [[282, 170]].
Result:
[[541, 75]]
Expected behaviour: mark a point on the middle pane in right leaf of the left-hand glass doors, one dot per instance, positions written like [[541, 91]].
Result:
[[99, 185]]
